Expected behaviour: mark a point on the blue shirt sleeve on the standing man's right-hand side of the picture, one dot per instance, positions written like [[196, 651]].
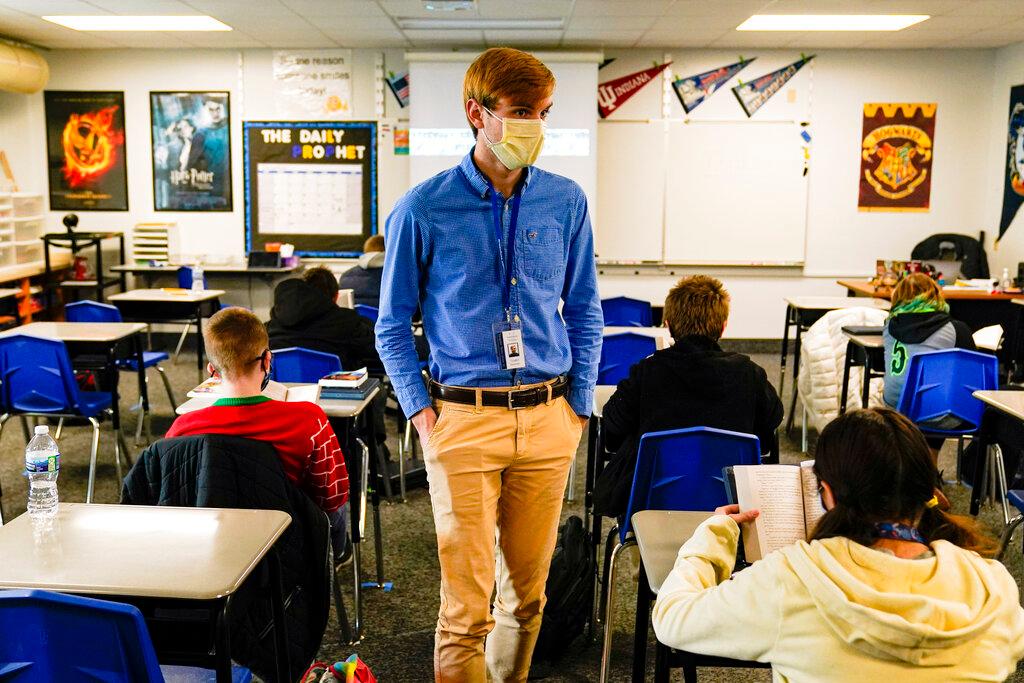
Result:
[[582, 312]]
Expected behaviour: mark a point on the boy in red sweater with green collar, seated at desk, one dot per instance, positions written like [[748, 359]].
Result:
[[240, 355]]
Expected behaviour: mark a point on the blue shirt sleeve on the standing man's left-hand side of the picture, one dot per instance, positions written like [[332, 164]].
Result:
[[400, 301]]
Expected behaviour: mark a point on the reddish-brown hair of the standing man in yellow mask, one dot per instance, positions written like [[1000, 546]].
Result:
[[506, 72]]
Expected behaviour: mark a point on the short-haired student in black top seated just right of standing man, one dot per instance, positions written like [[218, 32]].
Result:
[[694, 383]]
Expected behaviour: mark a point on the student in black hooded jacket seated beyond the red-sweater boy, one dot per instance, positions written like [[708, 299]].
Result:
[[307, 314]]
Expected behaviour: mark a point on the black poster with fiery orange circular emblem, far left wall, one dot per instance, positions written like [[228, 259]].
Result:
[[86, 150]]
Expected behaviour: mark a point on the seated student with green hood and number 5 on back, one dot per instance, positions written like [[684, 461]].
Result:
[[919, 321]]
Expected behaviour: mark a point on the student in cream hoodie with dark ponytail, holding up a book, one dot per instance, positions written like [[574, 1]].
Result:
[[890, 588]]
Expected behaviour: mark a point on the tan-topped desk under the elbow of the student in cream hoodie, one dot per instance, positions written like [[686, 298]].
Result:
[[660, 535]]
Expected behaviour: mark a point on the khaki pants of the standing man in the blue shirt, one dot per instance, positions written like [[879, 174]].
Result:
[[497, 479]]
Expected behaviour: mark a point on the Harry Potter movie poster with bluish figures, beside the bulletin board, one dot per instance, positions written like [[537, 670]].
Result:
[[192, 151]]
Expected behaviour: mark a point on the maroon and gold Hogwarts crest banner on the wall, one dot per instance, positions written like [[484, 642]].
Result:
[[897, 157]]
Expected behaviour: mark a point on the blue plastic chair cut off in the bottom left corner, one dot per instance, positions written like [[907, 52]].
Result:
[[49, 636]]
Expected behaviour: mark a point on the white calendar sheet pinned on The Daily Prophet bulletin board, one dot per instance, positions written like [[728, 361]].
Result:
[[310, 199]]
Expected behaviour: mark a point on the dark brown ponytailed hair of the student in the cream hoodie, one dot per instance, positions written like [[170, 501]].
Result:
[[881, 471]]
